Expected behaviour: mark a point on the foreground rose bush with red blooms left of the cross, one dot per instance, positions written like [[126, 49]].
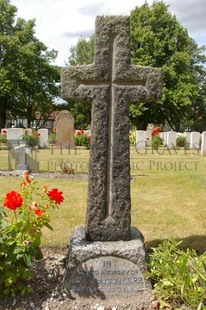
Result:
[[21, 221]]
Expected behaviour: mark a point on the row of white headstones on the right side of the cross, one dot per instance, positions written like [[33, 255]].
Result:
[[194, 140]]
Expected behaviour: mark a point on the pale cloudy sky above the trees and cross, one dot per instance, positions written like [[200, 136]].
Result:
[[60, 23]]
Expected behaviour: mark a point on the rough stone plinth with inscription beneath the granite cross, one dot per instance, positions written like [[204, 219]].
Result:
[[113, 270]]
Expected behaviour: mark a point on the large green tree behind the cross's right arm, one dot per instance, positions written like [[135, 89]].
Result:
[[158, 39]]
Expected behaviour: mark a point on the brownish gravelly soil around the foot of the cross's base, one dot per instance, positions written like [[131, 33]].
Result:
[[48, 295]]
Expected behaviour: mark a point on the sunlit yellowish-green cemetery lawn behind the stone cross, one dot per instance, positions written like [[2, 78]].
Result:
[[167, 202]]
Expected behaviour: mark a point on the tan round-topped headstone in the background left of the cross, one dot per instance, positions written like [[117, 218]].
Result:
[[65, 128]]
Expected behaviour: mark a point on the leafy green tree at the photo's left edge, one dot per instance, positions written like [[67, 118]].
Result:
[[27, 79]]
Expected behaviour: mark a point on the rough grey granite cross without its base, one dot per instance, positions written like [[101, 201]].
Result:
[[110, 84]]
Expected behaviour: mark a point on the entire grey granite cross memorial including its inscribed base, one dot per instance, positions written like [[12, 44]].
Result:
[[107, 258]]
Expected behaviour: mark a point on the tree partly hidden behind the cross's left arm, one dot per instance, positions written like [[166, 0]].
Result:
[[81, 54]]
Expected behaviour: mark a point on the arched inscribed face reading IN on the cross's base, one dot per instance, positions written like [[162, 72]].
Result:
[[105, 277]]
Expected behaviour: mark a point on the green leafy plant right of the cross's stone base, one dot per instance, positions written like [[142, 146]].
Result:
[[179, 276]]
